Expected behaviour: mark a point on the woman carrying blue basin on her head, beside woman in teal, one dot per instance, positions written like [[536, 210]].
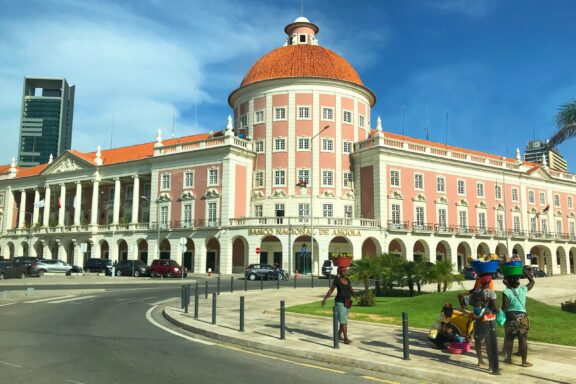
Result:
[[485, 304]]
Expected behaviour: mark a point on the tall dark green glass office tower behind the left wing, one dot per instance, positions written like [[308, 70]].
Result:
[[46, 121]]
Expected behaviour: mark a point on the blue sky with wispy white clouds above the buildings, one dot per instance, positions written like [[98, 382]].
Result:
[[499, 68]]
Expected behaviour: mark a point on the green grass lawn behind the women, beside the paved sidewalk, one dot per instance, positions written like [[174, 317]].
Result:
[[548, 324]]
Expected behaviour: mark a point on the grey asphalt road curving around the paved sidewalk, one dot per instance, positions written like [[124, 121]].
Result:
[[119, 336]]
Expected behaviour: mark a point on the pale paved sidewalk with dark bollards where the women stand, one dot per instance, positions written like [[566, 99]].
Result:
[[375, 347]]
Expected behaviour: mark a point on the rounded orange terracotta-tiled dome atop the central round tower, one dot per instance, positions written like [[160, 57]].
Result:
[[301, 61]]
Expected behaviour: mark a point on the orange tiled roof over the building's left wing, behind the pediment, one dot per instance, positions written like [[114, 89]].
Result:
[[112, 156]]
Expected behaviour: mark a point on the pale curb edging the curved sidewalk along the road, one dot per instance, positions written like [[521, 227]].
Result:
[[402, 368]]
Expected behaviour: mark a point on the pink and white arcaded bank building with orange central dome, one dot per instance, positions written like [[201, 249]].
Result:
[[296, 176]]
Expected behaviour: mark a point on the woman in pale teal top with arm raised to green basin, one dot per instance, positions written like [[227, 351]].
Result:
[[517, 322]]
